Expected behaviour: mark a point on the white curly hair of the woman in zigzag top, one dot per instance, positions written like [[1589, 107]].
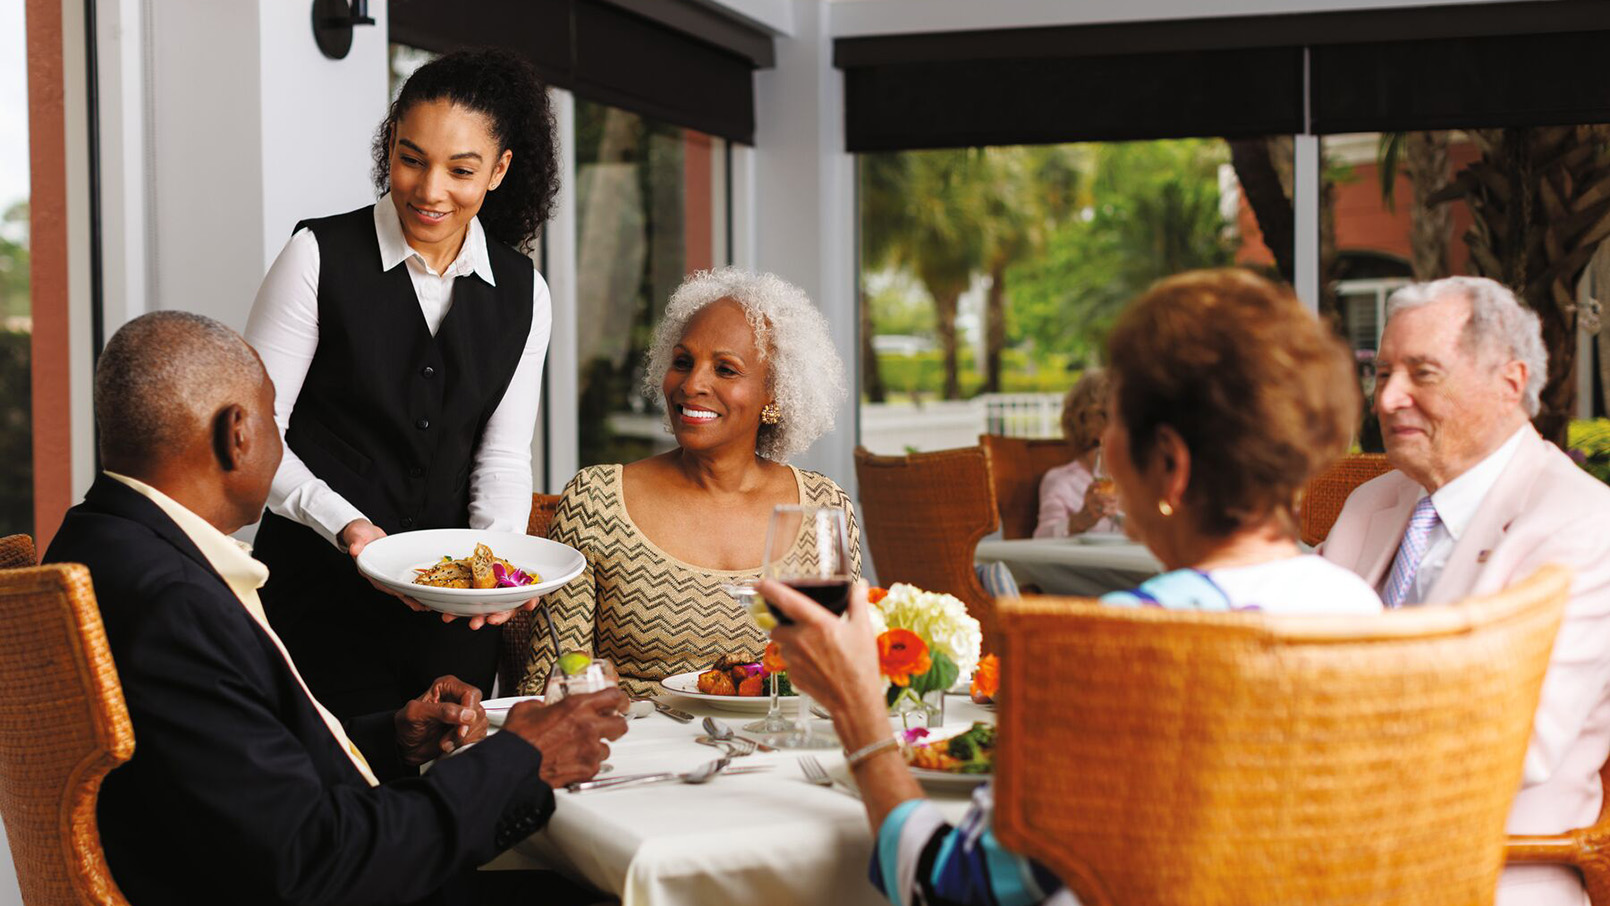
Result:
[[807, 377]]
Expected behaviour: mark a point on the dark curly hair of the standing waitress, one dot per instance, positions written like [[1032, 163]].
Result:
[[505, 89]]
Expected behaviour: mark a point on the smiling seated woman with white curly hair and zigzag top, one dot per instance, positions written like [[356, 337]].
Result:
[[749, 379]]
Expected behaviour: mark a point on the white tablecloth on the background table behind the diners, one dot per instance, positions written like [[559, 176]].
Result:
[[1065, 566]]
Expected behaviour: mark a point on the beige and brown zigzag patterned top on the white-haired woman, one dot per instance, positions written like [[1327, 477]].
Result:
[[650, 612]]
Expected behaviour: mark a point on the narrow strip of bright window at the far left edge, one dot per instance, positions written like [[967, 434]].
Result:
[[17, 439]]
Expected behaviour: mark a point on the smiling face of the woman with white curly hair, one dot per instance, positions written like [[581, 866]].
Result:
[[717, 384]]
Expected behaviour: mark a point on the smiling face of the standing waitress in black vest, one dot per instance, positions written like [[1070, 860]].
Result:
[[444, 163]]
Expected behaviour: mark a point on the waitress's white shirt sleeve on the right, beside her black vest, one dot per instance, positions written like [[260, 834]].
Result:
[[502, 474]]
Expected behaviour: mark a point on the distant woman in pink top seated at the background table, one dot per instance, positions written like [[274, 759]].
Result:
[[1071, 500]]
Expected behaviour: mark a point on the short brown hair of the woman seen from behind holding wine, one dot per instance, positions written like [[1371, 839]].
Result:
[[1258, 389]]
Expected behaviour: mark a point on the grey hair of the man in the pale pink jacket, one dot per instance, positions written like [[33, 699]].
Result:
[[1498, 326]]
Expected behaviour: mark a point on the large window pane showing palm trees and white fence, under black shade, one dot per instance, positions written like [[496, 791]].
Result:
[[993, 276]]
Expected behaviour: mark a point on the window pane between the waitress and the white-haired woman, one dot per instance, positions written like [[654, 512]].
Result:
[[651, 208]]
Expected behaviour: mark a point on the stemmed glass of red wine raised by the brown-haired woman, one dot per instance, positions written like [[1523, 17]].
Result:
[[809, 550]]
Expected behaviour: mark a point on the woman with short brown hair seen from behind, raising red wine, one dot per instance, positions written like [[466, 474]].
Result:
[[1226, 398]]
